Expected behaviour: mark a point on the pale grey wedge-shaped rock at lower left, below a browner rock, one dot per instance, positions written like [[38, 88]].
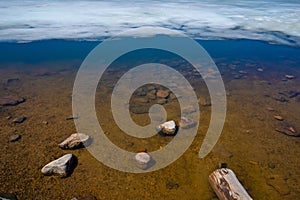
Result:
[[61, 166]]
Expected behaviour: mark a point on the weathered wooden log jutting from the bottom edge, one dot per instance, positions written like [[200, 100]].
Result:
[[227, 186]]
